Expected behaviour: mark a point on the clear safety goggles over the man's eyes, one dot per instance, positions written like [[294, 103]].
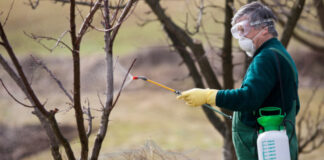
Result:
[[241, 29]]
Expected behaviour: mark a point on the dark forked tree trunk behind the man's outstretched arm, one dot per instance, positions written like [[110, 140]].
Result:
[[182, 41]]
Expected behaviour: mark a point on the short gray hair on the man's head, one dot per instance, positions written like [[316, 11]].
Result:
[[258, 15]]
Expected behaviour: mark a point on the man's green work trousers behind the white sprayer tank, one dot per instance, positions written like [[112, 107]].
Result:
[[245, 137]]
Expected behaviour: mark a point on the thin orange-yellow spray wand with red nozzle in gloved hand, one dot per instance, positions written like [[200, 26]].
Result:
[[177, 92]]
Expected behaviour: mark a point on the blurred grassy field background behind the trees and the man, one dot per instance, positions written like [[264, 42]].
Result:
[[145, 116]]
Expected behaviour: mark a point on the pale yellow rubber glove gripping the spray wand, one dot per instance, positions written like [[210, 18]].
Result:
[[197, 97]]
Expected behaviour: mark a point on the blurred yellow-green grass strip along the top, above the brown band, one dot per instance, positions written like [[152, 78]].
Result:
[[51, 19]]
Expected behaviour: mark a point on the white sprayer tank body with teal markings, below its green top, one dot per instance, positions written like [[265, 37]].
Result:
[[273, 145]]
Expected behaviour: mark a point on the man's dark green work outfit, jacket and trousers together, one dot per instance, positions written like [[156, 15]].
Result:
[[261, 88]]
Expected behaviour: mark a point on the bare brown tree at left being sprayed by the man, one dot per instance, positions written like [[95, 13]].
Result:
[[47, 118]]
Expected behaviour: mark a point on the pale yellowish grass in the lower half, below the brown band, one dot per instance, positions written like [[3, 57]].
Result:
[[172, 125]]
